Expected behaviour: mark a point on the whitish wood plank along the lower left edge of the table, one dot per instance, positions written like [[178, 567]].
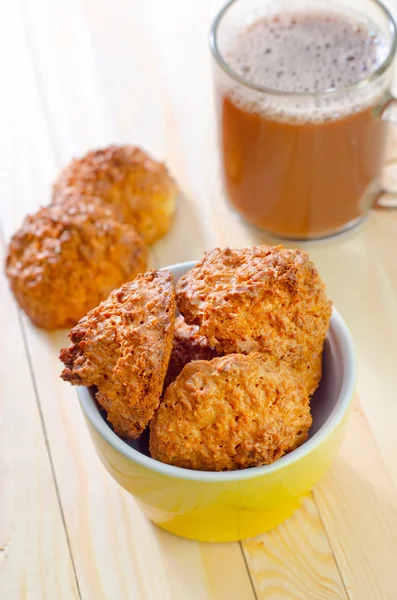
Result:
[[35, 562]]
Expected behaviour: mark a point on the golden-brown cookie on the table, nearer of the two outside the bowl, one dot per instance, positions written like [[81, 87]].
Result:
[[66, 258]]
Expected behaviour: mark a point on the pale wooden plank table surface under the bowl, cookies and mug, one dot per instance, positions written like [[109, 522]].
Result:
[[79, 74]]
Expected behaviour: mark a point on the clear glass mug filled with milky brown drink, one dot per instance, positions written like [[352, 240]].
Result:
[[302, 165]]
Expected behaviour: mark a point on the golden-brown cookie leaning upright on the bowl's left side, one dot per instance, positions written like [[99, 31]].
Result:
[[123, 348]]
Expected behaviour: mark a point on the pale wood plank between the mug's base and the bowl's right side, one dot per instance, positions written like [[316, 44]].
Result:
[[361, 276]]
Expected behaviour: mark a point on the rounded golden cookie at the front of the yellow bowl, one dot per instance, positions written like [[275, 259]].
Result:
[[232, 412]]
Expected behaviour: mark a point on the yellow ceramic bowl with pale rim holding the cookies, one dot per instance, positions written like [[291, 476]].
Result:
[[234, 505]]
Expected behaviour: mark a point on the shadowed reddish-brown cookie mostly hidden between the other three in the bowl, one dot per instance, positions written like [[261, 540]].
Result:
[[188, 345]]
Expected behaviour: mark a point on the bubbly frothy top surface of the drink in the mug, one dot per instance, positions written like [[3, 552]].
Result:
[[311, 50]]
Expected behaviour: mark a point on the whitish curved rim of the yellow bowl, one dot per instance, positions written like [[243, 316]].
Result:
[[342, 405]]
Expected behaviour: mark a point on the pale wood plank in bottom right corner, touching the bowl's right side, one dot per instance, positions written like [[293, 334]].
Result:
[[358, 505]]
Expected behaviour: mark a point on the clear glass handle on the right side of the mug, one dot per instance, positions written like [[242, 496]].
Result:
[[387, 198]]
